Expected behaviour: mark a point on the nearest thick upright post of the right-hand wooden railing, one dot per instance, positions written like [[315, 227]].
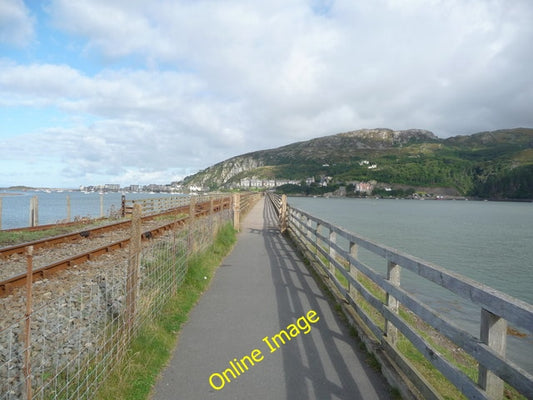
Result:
[[493, 332]]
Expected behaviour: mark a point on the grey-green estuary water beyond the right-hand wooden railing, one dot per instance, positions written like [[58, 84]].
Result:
[[490, 242]]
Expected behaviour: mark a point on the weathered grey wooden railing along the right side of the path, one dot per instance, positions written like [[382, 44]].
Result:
[[335, 251]]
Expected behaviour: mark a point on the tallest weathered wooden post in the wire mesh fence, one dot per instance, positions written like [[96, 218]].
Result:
[[133, 266]]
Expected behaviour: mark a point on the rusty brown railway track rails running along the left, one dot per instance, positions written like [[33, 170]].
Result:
[[7, 285]]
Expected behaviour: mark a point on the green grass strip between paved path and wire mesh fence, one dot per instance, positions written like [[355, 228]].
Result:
[[150, 350]]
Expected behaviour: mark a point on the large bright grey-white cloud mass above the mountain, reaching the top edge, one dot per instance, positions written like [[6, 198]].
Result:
[[381, 63]]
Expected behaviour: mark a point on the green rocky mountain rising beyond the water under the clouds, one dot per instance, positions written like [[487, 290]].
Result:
[[496, 164]]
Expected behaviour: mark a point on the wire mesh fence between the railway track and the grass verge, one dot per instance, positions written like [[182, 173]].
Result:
[[77, 332]]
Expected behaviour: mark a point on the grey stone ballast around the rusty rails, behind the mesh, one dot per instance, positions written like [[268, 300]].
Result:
[[71, 312]]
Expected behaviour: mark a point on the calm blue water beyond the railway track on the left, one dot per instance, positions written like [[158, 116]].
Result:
[[53, 206]]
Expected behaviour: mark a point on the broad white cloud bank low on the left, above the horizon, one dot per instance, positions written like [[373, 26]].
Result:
[[140, 119]]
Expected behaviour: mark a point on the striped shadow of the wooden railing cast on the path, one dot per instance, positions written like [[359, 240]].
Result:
[[325, 364]]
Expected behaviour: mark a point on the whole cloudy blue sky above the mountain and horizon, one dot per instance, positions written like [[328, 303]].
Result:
[[139, 92]]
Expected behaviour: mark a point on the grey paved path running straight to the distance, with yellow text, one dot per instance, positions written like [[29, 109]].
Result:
[[260, 289]]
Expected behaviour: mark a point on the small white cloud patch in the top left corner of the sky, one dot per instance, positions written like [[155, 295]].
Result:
[[16, 23]]
